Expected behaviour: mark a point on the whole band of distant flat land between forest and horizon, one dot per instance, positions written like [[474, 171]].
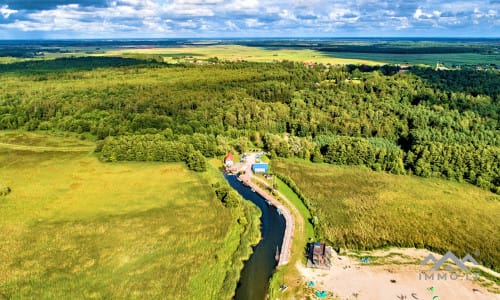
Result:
[[360, 51]]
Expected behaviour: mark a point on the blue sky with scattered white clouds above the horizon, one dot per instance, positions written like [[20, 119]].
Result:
[[20, 19]]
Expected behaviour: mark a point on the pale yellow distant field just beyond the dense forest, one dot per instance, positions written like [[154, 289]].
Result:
[[236, 52]]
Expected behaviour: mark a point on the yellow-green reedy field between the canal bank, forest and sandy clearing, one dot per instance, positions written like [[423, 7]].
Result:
[[361, 209]]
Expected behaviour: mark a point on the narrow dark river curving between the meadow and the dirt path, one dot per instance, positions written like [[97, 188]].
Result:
[[254, 280]]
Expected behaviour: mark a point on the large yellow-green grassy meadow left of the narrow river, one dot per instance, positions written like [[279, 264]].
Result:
[[74, 228]]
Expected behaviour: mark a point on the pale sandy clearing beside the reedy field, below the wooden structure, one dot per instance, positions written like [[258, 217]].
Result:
[[348, 278]]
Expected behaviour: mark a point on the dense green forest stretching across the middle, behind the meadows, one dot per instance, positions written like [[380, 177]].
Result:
[[423, 122]]
